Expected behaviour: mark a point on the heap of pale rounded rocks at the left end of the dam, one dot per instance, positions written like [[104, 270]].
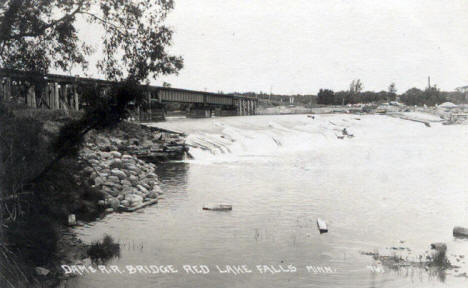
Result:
[[121, 163]]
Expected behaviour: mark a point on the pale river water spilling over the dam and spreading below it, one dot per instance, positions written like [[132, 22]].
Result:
[[396, 183]]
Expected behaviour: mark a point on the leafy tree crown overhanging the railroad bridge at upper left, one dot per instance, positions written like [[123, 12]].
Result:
[[40, 34]]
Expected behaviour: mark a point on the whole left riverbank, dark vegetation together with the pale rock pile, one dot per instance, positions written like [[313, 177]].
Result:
[[113, 172]]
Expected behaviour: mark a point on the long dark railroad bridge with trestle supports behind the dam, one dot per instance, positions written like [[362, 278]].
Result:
[[53, 91]]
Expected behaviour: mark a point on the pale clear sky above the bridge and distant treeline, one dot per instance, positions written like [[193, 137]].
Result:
[[301, 46]]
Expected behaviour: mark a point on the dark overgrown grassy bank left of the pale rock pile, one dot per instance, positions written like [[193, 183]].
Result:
[[34, 210]]
